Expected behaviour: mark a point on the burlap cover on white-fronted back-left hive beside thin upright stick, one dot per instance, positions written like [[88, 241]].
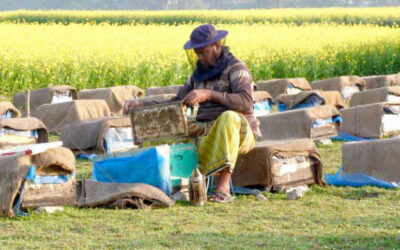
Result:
[[40, 96]]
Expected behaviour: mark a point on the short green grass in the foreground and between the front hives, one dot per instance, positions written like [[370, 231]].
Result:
[[330, 217]]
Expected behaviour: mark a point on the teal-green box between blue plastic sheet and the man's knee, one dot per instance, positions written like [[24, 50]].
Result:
[[183, 159]]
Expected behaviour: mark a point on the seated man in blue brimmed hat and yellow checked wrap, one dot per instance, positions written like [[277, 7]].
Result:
[[222, 87]]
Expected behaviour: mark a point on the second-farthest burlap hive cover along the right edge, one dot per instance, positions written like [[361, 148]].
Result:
[[373, 96]]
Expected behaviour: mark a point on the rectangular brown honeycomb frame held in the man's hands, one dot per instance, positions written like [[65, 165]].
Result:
[[160, 121]]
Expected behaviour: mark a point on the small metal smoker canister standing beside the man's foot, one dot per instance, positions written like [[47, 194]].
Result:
[[197, 188]]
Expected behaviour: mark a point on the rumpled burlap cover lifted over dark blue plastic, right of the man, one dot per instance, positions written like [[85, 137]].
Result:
[[329, 97]]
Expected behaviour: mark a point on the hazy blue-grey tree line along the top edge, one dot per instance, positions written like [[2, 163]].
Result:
[[185, 4]]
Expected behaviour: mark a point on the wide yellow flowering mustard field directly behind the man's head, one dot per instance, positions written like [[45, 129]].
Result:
[[89, 56]]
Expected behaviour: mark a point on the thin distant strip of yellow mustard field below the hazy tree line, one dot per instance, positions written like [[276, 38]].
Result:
[[380, 16]]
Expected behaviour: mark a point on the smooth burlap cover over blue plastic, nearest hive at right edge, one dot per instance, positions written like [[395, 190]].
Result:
[[378, 158]]
